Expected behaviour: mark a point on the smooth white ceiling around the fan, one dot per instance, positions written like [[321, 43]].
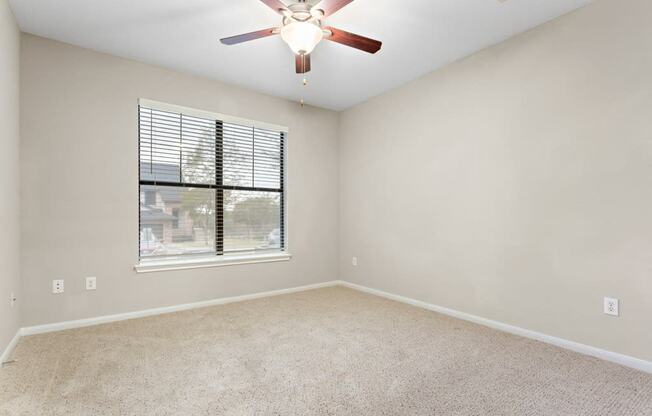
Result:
[[418, 36]]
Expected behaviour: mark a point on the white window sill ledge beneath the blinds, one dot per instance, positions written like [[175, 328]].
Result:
[[168, 265]]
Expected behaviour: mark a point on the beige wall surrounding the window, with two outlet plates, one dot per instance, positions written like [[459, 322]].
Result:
[[80, 182]]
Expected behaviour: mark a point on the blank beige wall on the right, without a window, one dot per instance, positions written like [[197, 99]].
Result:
[[516, 184]]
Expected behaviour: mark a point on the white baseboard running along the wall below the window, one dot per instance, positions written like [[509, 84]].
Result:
[[59, 326]]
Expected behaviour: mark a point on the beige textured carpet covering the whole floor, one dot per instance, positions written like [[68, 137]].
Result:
[[330, 351]]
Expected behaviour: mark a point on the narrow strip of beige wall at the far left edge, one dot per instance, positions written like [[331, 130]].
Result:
[[9, 174]]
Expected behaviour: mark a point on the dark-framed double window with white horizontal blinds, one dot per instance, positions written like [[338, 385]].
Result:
[[211, 186]]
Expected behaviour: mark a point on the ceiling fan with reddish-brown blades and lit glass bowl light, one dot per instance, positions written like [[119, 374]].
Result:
[[302, 29]]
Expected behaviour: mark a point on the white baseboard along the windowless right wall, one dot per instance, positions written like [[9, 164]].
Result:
[[614, 357]]
